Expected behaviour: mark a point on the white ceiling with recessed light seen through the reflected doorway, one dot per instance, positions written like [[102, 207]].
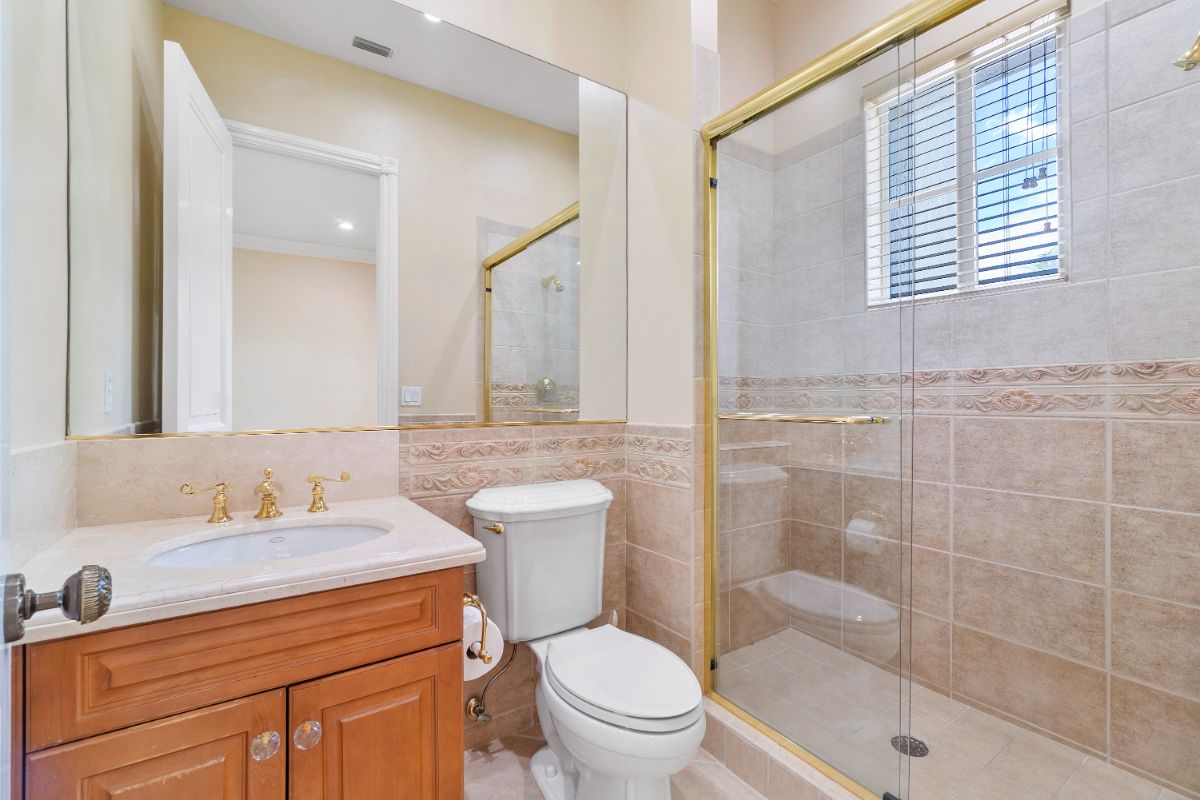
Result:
[[281, 199]]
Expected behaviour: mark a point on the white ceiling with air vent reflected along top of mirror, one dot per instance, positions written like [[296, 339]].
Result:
[[434, 55]]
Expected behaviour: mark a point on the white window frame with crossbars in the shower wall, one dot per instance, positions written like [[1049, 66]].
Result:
[[965, 179]]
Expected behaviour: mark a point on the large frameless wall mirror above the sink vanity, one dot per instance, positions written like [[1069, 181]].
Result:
[[280, 216]]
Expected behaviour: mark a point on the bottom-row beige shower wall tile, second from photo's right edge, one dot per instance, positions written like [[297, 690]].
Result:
[[1060, 696]]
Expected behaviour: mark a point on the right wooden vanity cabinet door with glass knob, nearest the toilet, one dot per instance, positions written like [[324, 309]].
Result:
[[387, 732]]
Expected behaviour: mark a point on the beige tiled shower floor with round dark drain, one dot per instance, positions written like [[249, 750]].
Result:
[[845, 711]]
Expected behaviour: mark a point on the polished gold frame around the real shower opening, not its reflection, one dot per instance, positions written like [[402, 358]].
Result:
[[911, 21]]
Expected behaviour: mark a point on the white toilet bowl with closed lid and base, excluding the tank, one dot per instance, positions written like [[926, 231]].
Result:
[[621, 715]]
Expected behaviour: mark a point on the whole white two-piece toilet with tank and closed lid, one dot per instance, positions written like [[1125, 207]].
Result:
[[621, 714]]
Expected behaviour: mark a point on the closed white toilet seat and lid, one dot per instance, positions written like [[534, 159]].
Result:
[[625, 681]]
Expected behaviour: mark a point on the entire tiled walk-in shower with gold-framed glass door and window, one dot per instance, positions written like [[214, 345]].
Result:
[[953, 422]]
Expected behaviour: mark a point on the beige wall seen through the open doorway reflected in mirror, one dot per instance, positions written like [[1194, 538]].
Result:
[[304, 342]]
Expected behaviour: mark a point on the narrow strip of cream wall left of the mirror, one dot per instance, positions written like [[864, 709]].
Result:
[[39, 202]]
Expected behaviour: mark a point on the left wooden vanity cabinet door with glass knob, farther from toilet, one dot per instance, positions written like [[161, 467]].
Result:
[[224, 753]]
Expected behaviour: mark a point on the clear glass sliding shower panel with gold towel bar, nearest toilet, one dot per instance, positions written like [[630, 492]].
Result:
[[813, 552]]
